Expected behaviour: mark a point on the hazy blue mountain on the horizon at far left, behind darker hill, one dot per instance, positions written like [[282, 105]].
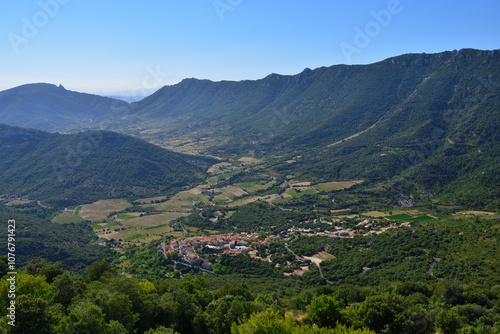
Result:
[[53, 108]]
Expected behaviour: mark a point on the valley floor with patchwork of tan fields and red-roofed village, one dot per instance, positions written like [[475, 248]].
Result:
[[192, 217]]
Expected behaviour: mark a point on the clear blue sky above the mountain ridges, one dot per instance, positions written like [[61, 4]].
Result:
[[112, 46]]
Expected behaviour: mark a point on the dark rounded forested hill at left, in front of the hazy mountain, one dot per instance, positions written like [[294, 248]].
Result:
[[63, 170]]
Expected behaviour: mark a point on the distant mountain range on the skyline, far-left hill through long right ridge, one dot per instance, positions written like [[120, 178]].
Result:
[[424, 123]]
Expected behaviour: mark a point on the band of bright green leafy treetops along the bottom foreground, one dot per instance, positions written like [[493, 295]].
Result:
[[51, 300]]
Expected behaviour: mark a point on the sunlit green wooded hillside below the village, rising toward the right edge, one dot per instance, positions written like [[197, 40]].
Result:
[[246, 299]]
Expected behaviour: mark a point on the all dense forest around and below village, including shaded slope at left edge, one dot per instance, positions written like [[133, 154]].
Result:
[[437, 275]]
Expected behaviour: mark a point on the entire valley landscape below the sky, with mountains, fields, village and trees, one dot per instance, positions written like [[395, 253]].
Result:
[[370, 189]]
